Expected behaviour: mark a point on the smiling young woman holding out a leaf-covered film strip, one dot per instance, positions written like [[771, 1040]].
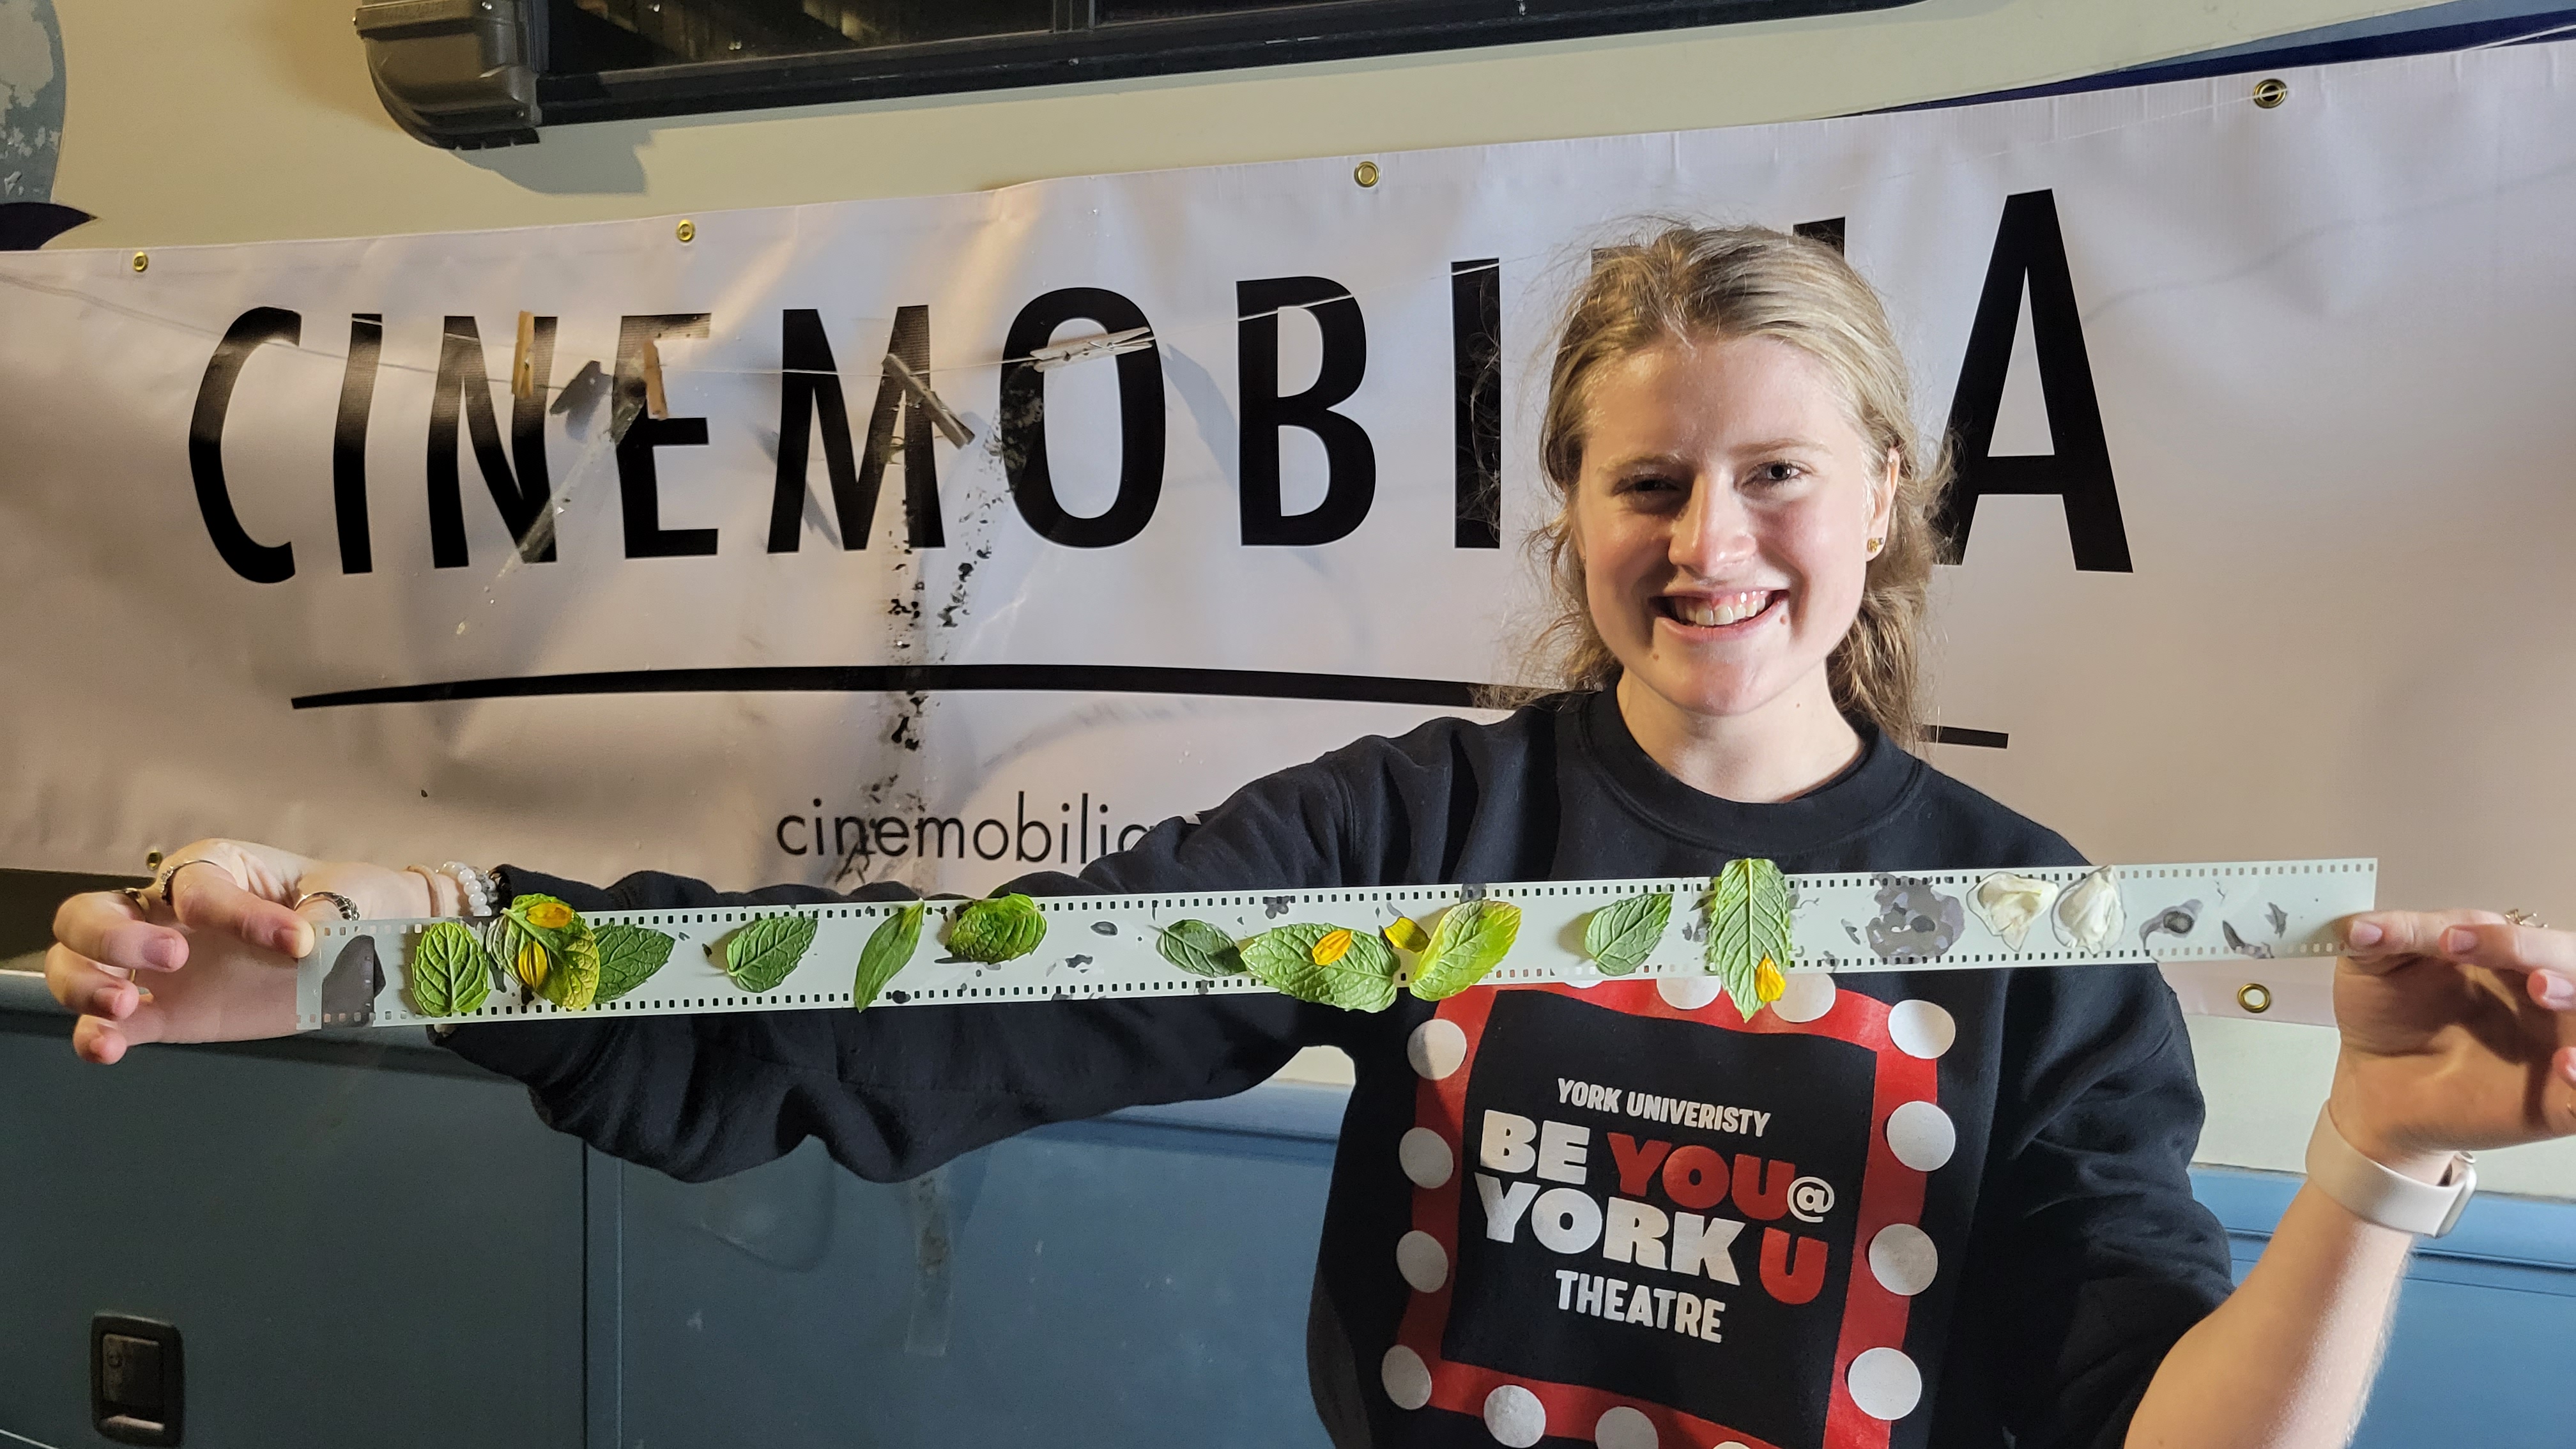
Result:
[[1511, 1252]]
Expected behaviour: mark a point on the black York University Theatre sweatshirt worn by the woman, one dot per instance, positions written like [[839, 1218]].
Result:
[[1624, 1213]]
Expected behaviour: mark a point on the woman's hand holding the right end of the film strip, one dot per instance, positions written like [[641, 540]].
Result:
[[2459, 1035]]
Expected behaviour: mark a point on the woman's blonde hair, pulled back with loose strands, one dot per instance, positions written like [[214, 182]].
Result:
[[1750, 282]]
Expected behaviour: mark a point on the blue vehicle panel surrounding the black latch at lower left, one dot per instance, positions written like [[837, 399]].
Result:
[[352, 1254]]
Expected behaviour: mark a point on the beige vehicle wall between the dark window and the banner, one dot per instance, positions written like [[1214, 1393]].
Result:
[[254, 120]]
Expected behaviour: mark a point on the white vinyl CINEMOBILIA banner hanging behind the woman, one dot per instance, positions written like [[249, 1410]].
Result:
[[2266, 494]]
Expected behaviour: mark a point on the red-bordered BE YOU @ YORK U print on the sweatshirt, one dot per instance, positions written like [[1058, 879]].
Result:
[[1637, 1216]]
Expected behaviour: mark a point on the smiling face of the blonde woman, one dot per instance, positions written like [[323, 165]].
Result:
[[1725, 517]]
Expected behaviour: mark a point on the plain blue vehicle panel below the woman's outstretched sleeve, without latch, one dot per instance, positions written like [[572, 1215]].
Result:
[[1088, 1285]]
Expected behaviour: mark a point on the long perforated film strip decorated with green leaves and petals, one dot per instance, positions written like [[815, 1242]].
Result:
[[1094, 948]]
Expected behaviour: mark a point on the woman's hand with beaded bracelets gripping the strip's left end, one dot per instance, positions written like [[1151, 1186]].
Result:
[[215, 960]]
